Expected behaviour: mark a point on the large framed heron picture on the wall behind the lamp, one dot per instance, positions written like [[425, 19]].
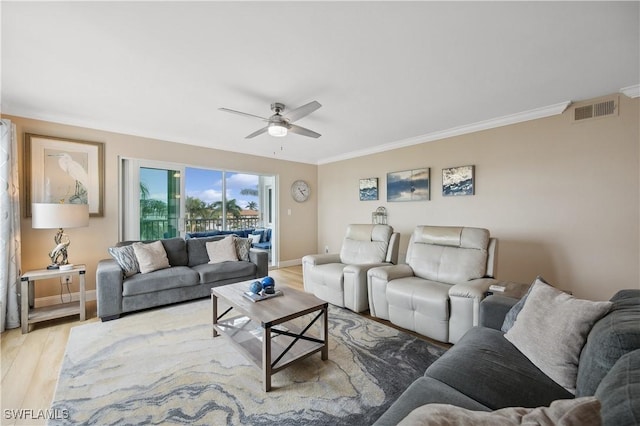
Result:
[[64, 170]]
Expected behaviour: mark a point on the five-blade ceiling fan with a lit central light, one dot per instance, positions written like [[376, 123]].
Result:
[[279, 124]]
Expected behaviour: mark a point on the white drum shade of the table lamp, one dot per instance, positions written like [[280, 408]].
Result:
[[51, 216]]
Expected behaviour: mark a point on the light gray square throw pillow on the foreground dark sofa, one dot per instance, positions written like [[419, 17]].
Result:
[[551, 329]]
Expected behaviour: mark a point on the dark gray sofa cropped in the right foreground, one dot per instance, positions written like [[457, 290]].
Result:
[[485, 372]]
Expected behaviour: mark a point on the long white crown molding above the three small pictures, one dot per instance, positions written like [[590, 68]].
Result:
[[506, 120]]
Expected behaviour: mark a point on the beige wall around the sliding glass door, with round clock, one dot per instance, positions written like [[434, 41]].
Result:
[[297, 232]]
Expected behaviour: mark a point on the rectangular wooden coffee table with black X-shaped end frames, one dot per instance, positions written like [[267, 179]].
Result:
[[265, 332]]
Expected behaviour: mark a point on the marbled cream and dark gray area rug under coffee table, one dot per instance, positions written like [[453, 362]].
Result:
[[164, 367]]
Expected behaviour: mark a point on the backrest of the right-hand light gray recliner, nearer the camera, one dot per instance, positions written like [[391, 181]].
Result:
[[448, 254]]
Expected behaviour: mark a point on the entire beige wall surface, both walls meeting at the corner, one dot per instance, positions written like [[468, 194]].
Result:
[[562, 198]]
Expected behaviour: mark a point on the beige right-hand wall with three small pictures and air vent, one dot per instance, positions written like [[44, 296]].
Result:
[[562, 198]]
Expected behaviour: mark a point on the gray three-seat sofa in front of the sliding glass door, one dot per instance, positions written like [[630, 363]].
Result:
[[189, 277]]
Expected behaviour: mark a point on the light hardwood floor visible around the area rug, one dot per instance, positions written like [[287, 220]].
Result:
[[31, 362]]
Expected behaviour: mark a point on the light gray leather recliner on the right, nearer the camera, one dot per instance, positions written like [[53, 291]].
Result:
[[438, 292]]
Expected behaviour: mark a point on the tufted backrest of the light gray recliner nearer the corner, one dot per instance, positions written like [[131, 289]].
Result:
[[365, 244]]
